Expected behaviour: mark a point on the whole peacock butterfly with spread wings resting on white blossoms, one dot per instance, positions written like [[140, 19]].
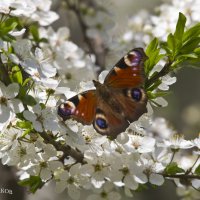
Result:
[[114, 104]]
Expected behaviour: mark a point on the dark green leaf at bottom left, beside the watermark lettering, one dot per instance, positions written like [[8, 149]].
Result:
[[33, 182]]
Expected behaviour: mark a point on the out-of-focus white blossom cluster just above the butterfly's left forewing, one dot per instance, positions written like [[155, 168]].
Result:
[[68, 58]]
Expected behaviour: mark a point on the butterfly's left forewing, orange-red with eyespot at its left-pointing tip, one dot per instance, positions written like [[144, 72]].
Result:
[[81, 107]]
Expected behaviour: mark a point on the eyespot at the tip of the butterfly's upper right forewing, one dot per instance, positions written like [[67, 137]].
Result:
[[133, 59]]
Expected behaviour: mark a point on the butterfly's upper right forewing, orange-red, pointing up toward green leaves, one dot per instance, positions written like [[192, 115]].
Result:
[[128, 71]]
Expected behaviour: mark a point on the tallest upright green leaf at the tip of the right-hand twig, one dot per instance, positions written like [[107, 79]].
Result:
[[180, 26]]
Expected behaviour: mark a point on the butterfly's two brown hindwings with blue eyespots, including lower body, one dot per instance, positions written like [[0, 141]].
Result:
[[114, 115]]
